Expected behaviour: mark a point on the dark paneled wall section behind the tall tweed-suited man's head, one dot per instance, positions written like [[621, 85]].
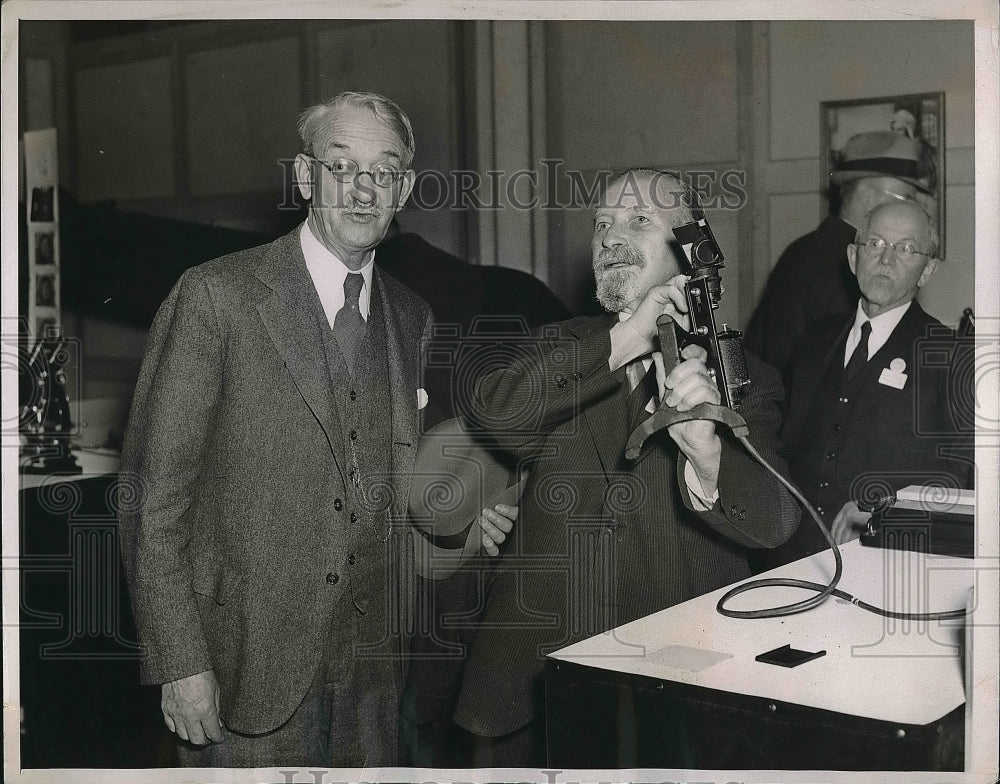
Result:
[[197, 121]]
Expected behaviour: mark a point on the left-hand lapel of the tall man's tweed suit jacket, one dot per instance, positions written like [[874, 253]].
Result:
[[289, 317]]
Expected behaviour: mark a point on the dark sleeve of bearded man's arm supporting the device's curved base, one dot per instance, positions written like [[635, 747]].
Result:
[[754, 509]]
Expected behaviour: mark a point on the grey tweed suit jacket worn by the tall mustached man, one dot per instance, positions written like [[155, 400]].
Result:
[[234, 451]]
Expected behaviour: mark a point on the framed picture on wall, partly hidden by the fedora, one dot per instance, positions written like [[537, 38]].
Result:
[[918, 117]]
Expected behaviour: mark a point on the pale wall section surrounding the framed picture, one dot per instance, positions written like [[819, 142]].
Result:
[[810, 62]]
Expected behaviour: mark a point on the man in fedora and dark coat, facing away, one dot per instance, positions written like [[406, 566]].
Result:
[[811, 279]]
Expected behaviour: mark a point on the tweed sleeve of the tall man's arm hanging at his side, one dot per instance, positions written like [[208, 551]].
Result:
[[162, 458]]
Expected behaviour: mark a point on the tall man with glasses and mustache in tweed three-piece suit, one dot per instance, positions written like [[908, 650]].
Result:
[[271, 444]]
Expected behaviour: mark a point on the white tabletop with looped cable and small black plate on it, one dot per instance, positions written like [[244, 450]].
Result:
[[875, 668]]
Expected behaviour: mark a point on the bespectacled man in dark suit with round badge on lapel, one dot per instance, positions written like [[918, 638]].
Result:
[[871, 409]]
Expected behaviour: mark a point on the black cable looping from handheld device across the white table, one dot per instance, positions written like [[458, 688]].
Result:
[[822, 591]]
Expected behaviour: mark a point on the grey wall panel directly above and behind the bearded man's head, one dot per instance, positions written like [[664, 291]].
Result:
[[660, 95]]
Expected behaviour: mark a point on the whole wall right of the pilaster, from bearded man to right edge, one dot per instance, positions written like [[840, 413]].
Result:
[[744, 97]]
